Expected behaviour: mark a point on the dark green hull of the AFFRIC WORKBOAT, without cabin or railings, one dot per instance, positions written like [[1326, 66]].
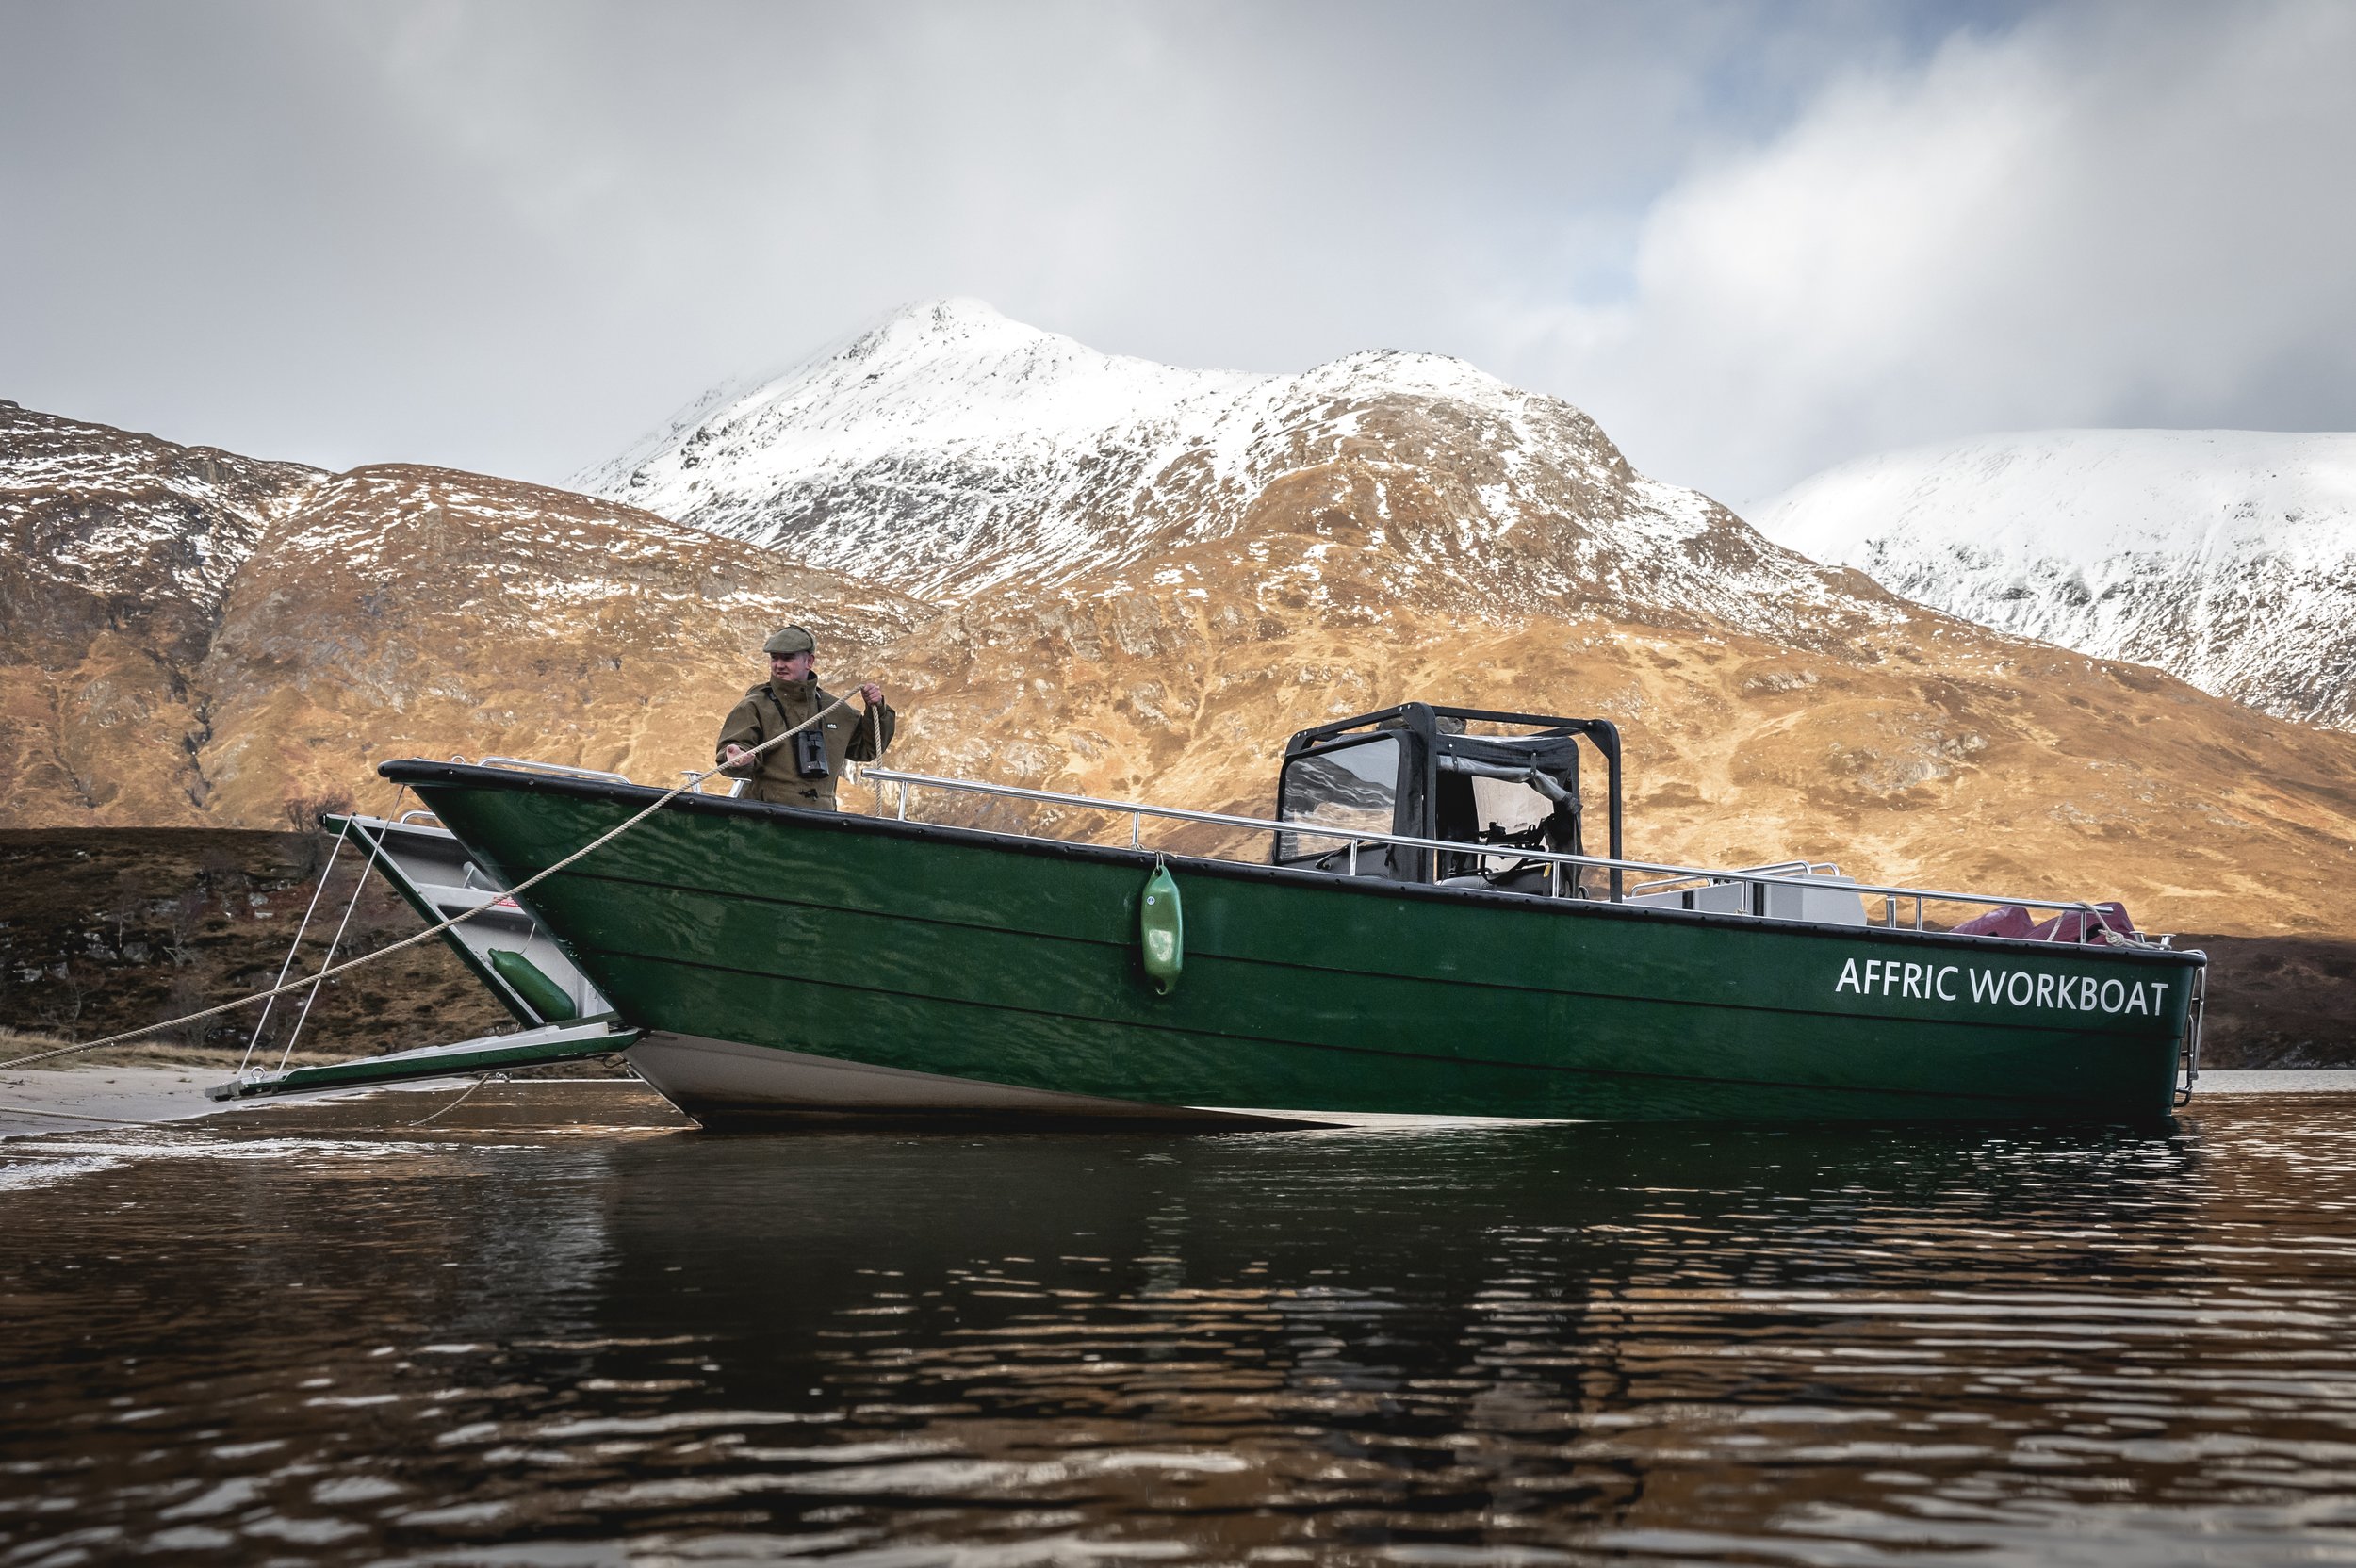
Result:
[[826, 966]]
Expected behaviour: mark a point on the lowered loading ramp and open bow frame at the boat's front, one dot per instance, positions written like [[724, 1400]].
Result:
[[562, 1016]]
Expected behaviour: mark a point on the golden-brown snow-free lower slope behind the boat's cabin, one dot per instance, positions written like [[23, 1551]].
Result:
[[1919, 750]]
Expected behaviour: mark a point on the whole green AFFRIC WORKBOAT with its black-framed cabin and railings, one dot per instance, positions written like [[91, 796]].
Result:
[[1417, 934]]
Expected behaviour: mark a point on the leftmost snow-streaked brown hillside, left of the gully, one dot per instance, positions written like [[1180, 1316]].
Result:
[[114, 554]]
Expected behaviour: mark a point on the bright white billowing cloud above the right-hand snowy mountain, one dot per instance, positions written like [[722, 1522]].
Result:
[[2100, 218]]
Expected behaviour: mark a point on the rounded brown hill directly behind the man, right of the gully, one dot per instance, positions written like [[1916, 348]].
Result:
[[428, 613]]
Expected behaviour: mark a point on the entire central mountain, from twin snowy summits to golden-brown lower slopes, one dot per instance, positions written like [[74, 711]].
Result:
[[1151, 578]]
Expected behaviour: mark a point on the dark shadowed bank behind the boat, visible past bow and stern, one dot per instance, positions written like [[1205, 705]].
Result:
[[112, 929]]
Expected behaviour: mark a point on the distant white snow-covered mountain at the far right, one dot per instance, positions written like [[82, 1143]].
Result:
[[2221, 557]]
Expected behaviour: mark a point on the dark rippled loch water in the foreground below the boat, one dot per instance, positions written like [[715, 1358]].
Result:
[[552, 1331]]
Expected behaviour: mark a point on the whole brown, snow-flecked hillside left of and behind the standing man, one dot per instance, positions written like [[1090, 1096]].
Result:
[[192, 637]]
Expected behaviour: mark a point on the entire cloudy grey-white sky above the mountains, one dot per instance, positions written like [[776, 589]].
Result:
[[1749, 239]]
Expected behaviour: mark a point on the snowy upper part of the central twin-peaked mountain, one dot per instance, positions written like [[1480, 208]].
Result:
[[953, 451]]
